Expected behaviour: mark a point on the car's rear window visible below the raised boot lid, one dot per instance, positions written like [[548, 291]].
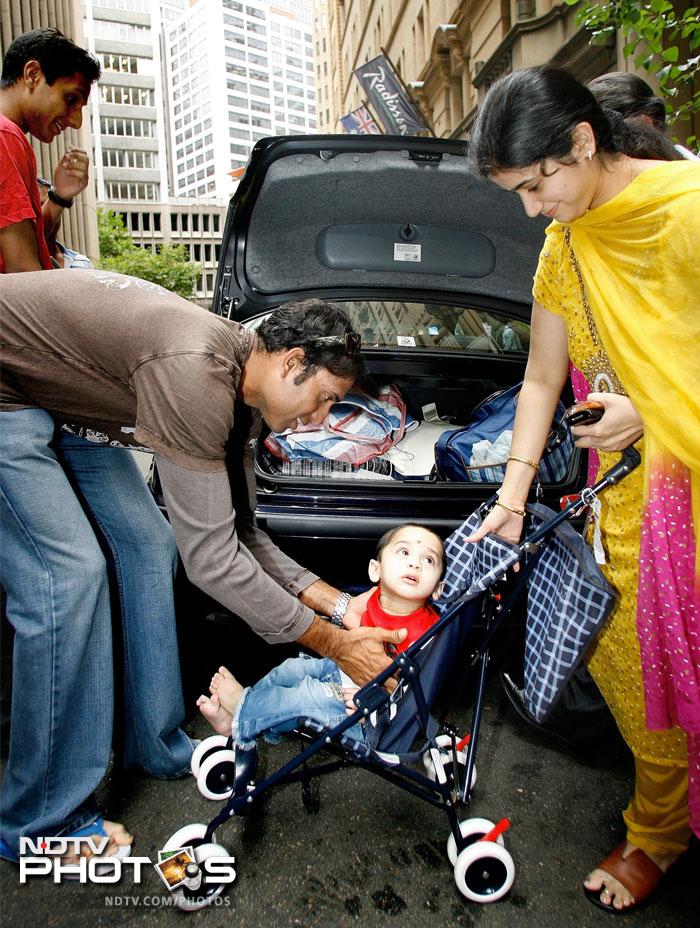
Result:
[[390, 323]]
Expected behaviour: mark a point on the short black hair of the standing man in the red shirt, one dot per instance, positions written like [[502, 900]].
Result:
[[57, 55]]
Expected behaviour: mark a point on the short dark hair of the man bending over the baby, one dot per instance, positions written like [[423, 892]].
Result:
[[300, 324]]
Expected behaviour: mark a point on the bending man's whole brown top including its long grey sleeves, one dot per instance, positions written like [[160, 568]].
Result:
[[132, 360]]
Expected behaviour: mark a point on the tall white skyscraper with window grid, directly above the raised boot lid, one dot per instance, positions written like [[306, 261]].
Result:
[[236, 72]]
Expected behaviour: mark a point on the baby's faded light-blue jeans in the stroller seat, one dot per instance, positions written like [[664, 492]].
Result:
[[301, 687]]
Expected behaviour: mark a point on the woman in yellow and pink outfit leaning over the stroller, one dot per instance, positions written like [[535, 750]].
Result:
[[616, 293]]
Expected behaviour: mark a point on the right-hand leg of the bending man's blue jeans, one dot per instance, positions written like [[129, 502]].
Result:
[[143, 553]]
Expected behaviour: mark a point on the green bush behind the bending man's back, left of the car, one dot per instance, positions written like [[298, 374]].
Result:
[[169, 266]]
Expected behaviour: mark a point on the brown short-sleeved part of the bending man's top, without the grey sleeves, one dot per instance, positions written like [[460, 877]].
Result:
[[122, 356]]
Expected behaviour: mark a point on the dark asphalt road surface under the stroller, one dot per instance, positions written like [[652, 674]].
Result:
[[374, 856]]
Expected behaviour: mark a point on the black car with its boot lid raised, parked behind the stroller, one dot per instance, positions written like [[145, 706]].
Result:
[[434, 266]]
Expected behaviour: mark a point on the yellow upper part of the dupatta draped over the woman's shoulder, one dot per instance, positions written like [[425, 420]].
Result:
[[639, 256]]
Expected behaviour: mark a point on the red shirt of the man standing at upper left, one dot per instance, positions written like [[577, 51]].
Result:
[[19, 191]]
